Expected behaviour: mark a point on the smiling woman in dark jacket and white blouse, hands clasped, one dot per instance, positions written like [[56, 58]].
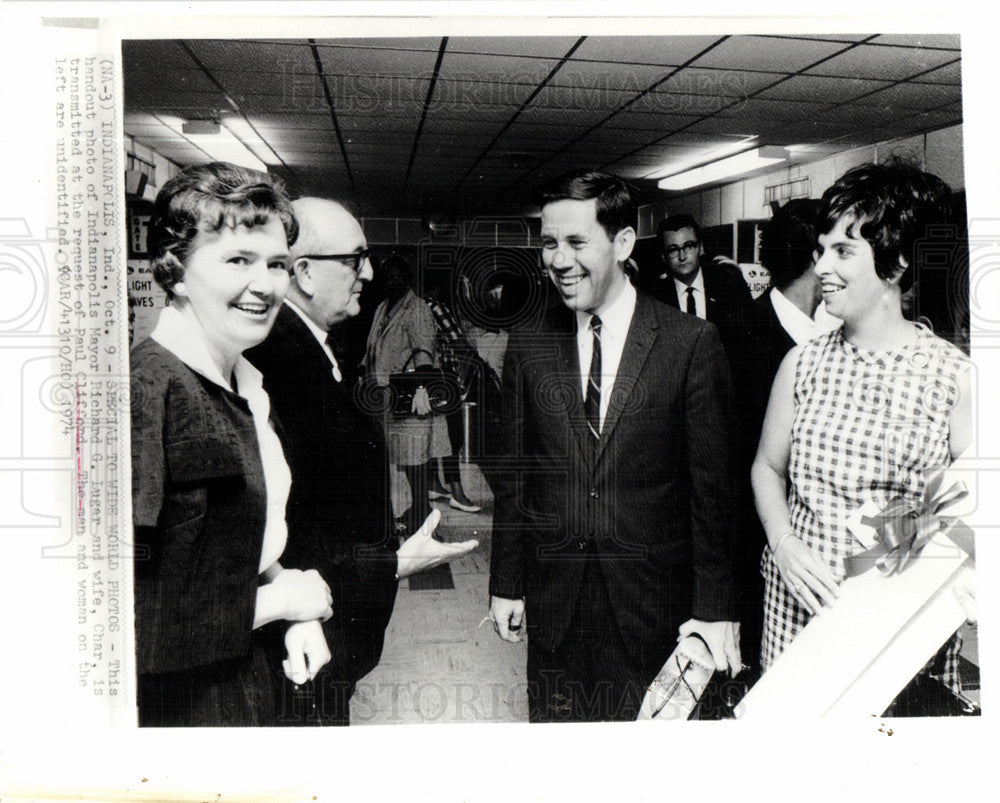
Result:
[[209, 479]]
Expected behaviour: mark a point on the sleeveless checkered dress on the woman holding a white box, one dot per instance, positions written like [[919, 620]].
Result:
[[867, 426]]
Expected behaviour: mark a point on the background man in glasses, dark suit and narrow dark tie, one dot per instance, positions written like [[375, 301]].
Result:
[[714, 291]]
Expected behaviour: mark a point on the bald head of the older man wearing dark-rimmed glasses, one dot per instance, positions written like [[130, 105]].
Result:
[[327, 290]]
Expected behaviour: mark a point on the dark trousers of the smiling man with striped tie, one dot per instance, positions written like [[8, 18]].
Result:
[[590, 676]]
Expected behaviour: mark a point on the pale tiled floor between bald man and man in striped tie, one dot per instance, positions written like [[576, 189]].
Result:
[[442, 661]]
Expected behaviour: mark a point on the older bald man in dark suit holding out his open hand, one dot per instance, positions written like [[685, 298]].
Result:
[[338, 513]]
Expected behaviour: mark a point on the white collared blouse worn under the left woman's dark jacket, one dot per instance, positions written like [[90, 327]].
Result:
[[181, 337]]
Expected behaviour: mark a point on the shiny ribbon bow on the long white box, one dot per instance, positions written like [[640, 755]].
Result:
[[903, 528]]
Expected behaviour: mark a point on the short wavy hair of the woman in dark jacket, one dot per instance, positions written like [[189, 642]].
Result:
[[206, 198]]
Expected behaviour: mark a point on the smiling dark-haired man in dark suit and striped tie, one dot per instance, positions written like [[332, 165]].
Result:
[[611, 534]]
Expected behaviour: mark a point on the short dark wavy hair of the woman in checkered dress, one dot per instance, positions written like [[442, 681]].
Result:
[[894, 206]]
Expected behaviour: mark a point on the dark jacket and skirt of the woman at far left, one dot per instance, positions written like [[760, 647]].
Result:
[[198, 511]]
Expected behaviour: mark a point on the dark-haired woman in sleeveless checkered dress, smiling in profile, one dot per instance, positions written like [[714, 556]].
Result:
[[862, 413]]
